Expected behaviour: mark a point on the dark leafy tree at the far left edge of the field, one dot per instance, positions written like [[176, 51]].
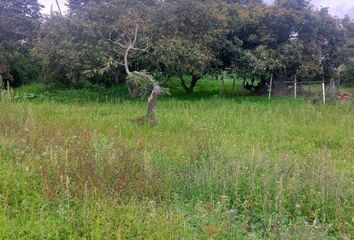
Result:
[[19, 22]]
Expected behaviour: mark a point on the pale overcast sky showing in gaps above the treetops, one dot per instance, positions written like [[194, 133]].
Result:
[[336, 7]]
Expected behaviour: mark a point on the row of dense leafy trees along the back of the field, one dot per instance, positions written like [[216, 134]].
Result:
[[181, 38]]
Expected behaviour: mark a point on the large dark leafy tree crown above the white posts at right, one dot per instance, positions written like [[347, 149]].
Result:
[[304, 39]]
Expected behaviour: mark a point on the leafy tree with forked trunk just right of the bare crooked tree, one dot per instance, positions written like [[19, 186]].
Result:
[[188, 30]]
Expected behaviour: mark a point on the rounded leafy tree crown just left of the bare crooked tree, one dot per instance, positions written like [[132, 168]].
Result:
[[66, 57]]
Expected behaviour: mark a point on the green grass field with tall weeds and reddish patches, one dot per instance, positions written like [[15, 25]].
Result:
[[74, 166]]
